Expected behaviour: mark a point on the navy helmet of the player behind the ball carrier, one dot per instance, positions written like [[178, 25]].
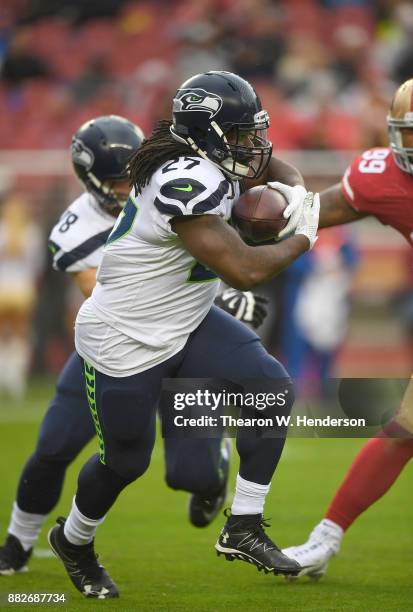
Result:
[[101, 150]]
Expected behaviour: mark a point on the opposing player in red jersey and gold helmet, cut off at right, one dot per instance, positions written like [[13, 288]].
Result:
[[380, 183]]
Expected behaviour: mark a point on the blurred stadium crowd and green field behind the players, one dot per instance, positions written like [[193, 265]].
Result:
[[326, 70]]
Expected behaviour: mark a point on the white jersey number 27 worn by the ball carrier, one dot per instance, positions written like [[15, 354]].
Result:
[[150, 292]]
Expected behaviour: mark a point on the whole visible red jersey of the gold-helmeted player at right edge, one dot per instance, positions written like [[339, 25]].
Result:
[[375, 185]]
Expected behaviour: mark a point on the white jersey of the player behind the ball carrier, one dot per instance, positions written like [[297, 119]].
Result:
[[77, 240]]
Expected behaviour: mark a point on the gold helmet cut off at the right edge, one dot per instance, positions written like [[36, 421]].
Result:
[[399, 118]]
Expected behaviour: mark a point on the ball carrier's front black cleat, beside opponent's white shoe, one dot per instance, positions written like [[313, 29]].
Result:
[[243, 537]]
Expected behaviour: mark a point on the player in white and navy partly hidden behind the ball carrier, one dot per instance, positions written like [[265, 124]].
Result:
[[101, 149]]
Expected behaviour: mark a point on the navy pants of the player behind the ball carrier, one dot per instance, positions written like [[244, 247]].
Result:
[[191, 465]]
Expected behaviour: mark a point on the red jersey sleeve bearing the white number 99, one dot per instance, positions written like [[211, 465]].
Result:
[[363, 180]]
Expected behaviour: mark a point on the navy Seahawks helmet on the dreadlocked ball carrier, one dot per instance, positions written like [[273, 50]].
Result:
[[219, 115]]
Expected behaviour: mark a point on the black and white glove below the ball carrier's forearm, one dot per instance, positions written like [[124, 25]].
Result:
[[244, 306]]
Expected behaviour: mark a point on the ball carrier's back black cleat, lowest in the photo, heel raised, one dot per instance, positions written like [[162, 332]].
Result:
[[88, 576]]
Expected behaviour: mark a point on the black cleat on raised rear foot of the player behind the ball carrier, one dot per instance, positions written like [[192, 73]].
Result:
[[202, 510]]
